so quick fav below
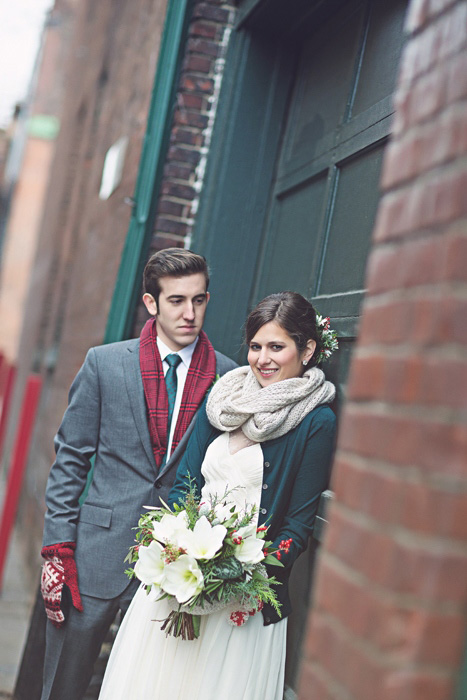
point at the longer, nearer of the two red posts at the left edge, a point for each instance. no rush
(18, 464)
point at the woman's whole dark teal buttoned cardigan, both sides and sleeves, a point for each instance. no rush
(296, 472)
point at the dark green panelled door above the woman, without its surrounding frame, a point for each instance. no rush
(325, 192)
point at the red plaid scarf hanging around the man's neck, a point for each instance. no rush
(200, 377)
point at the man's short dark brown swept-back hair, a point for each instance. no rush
(172, 262)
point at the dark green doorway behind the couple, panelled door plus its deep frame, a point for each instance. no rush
(292, 186)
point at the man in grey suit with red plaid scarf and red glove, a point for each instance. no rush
(132, 406)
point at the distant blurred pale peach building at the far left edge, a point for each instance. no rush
(27, 173)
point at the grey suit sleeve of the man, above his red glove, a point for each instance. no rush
(75, 444)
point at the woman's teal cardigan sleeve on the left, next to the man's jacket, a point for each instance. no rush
(190, 464)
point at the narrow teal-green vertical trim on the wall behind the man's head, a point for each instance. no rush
(128, 284)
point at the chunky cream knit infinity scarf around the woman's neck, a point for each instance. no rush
(238, 399)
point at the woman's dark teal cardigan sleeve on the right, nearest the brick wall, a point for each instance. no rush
(311, 480)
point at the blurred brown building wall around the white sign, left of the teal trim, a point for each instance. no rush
(109, 79)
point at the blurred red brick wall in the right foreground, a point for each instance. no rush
(389, 610)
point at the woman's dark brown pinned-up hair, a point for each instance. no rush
(290, 311)
